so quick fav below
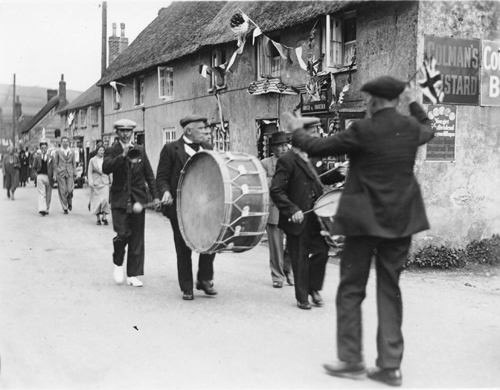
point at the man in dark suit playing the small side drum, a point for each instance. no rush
(294, 189)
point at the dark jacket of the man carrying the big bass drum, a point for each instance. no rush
(173, 157)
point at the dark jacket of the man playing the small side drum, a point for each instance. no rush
(295, 188)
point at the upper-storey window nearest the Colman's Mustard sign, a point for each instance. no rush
(330, 61)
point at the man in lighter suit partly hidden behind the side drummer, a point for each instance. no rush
(279, 261)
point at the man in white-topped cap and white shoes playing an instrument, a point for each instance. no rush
(130, 175)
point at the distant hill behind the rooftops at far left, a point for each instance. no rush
(31, 98)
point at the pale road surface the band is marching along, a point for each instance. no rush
(64, 323)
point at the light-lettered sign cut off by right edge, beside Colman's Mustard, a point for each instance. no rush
(490, 74)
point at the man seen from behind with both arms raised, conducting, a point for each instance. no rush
(380, 208)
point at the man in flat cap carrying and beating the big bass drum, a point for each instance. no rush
(173, 157)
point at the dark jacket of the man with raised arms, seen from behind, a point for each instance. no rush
(381, 196)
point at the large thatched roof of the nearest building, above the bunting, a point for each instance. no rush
(186, 27)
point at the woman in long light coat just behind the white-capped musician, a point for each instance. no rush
(99, 188)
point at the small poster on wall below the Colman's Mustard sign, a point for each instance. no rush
(444, 122)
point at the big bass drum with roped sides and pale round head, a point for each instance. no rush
(222, 202)
